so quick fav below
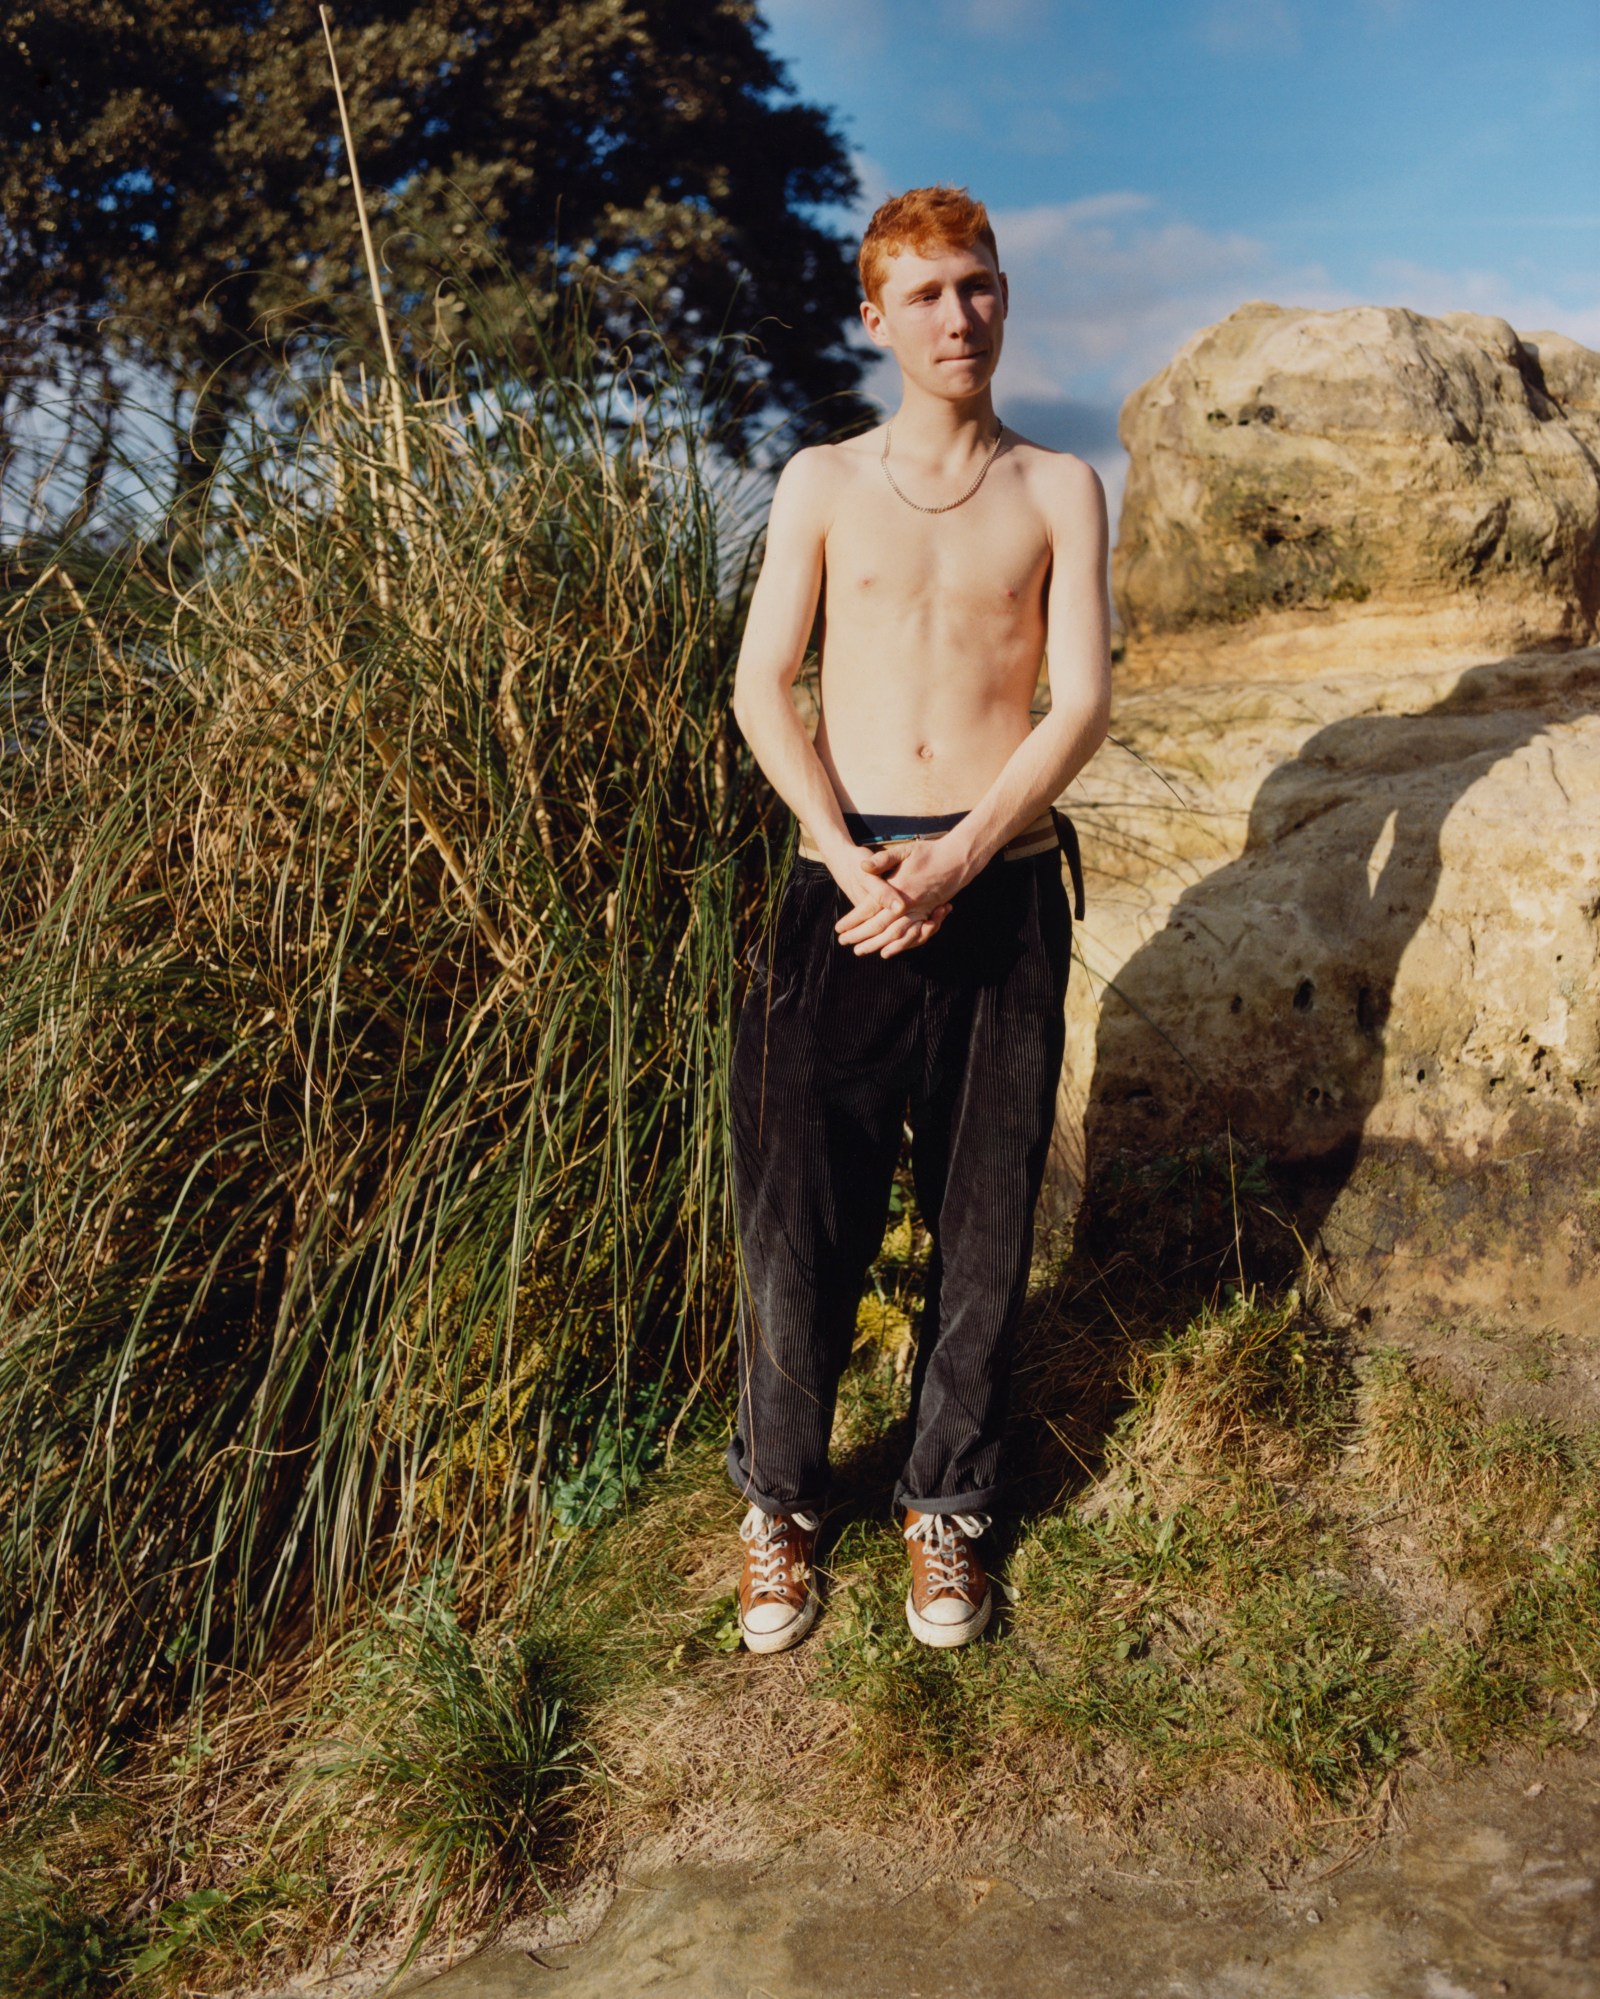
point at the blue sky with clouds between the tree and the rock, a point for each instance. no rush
(1153, 165)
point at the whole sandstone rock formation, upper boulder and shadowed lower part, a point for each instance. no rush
(1345, 869)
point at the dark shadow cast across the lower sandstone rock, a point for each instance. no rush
(1243, 1050)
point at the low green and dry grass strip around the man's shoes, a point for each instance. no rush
(1217, 1614)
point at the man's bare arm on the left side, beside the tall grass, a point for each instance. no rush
(783, 609)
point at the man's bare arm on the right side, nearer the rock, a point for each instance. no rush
(1079, 665)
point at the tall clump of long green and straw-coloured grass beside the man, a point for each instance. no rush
(369, 877)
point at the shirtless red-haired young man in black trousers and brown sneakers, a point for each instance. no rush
(909, 977)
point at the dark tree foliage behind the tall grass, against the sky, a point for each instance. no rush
(175, 185)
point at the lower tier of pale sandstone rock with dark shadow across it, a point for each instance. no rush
(1353, 921)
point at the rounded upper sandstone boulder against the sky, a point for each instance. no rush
(1361, 485)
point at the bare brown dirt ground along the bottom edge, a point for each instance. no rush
(1481, 1886)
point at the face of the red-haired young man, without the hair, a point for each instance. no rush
(943, 317)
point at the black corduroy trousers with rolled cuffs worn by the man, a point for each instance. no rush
(833, 1056)
